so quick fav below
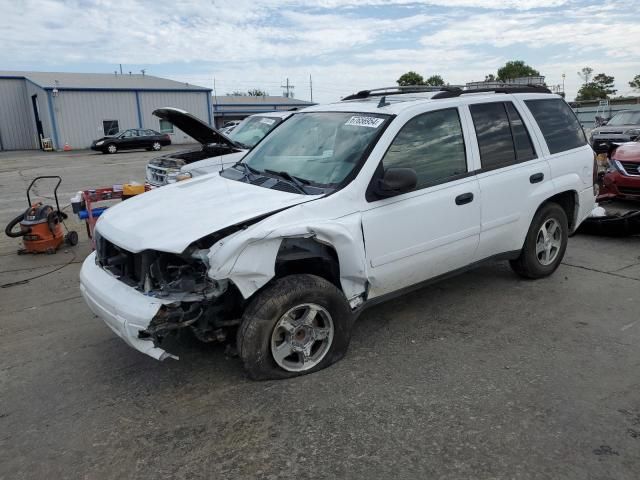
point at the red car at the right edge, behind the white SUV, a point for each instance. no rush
(622, 179)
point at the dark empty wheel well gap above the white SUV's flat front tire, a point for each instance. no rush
(306, 255)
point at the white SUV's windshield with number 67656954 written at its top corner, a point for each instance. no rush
(322, 148)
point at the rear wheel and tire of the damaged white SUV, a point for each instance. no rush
(545, 244)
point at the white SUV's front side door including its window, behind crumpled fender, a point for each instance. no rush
(435, 228)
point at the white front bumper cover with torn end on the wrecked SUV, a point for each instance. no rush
(125, 310)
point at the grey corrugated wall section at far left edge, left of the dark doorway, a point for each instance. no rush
(17, 127)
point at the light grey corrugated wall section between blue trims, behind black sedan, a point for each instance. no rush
(79, 115)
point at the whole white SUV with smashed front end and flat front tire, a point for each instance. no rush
(340, 207)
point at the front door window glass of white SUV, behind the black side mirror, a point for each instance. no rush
(432, 144)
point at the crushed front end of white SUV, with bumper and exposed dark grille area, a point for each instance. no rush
(146, 296)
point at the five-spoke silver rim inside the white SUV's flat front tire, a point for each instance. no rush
(302, 337)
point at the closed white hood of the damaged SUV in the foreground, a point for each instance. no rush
(170, 218)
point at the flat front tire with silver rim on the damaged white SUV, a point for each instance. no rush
(298, 325)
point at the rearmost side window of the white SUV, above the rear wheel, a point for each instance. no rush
(558, 124)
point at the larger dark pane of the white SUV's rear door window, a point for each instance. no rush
(494, 135)
